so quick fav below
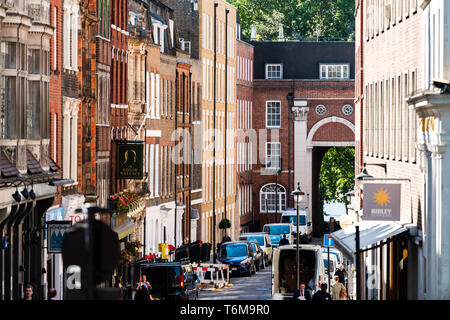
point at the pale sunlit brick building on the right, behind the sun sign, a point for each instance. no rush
(387, 134)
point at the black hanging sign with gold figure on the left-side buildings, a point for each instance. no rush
(129, 161)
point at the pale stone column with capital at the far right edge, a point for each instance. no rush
(433, 141)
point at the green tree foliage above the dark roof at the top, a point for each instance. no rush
(319, 19)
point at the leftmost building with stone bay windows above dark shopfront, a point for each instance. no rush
(28, 173)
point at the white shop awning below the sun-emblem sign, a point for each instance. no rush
(370, 232)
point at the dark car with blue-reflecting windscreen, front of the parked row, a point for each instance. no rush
(239, 256)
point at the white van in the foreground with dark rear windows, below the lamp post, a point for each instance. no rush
(284, 270)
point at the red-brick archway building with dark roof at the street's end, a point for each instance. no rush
(292, 139)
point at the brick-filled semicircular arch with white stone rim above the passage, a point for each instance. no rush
(334, 129)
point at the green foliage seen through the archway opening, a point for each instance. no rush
(337, 174)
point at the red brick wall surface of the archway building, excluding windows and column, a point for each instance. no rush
(333, 94)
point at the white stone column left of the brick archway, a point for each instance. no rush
(301, 153)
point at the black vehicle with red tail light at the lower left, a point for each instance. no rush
(169, 280)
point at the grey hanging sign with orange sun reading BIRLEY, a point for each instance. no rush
(381, 202)
